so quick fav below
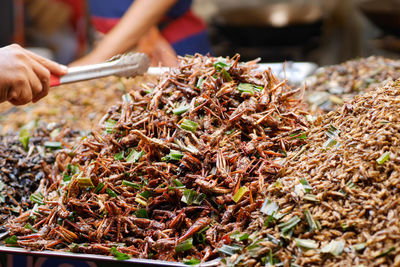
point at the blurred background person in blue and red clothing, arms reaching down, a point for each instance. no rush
(162, 29)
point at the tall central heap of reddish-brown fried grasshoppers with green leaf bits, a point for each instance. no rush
(177, 167)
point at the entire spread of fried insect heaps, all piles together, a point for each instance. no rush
(213, 160)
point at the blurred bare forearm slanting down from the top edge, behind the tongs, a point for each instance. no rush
(139, 18)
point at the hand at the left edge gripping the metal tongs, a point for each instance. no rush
(25, 76)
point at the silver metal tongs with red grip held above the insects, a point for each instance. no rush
(127, 65)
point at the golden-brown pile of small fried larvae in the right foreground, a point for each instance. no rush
(336, 201)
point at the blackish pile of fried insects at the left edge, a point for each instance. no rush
(25, 159)
